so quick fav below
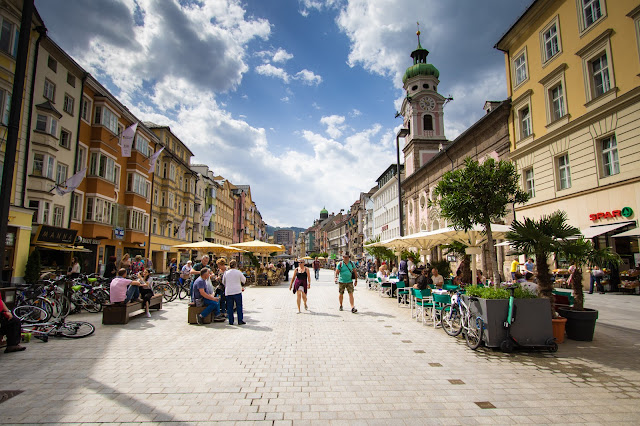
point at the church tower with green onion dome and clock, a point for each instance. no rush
(422, 110)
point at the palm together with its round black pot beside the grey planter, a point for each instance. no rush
(581, 321)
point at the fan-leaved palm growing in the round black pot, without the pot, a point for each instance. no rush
(582, 253)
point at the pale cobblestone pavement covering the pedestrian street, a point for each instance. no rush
(320, 367)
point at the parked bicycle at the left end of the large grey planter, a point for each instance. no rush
(457, 318)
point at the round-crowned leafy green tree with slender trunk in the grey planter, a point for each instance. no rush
(479, 194)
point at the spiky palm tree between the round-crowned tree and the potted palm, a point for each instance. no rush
(542, 238)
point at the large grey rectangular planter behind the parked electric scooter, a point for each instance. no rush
(532, 325)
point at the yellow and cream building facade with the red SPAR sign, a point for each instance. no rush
(573, 75)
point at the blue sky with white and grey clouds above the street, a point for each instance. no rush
(296, 98)
